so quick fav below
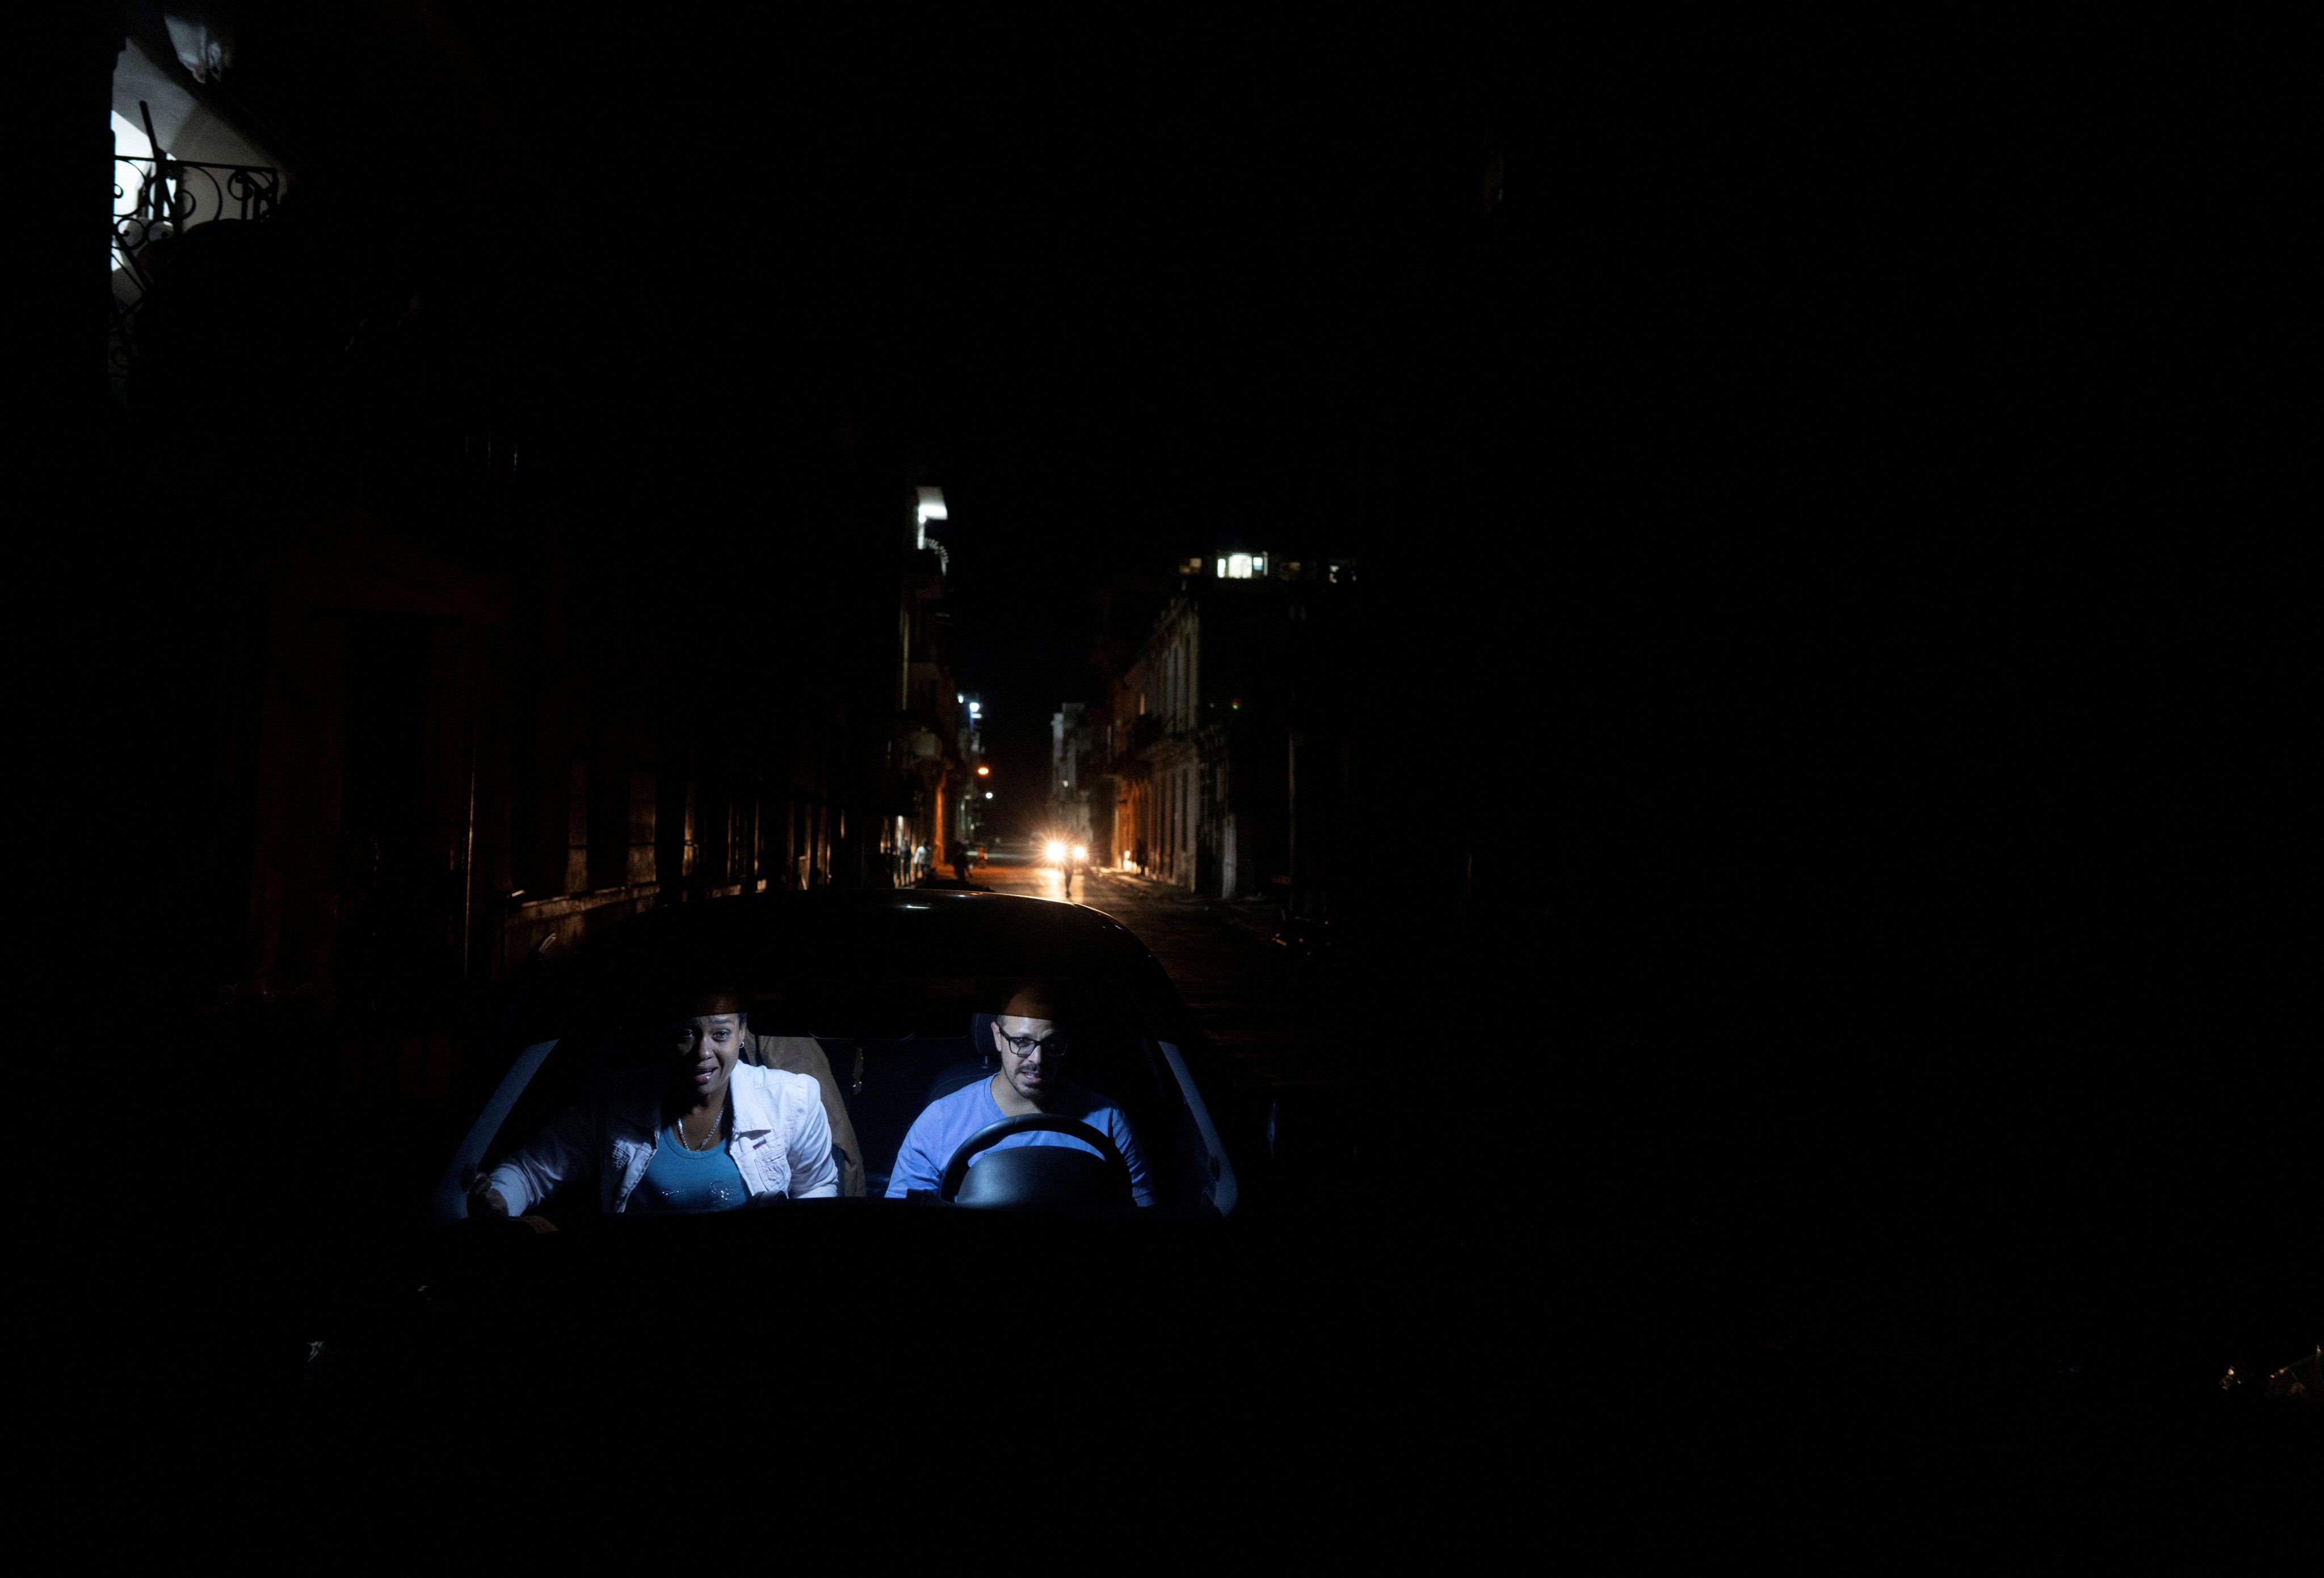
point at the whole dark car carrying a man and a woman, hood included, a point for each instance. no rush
(880, 996)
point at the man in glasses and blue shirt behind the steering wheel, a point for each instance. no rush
(1028, 1054)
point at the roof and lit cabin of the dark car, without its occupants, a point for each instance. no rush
(887, 1003)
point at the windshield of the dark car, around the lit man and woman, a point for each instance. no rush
(884, 1045)
